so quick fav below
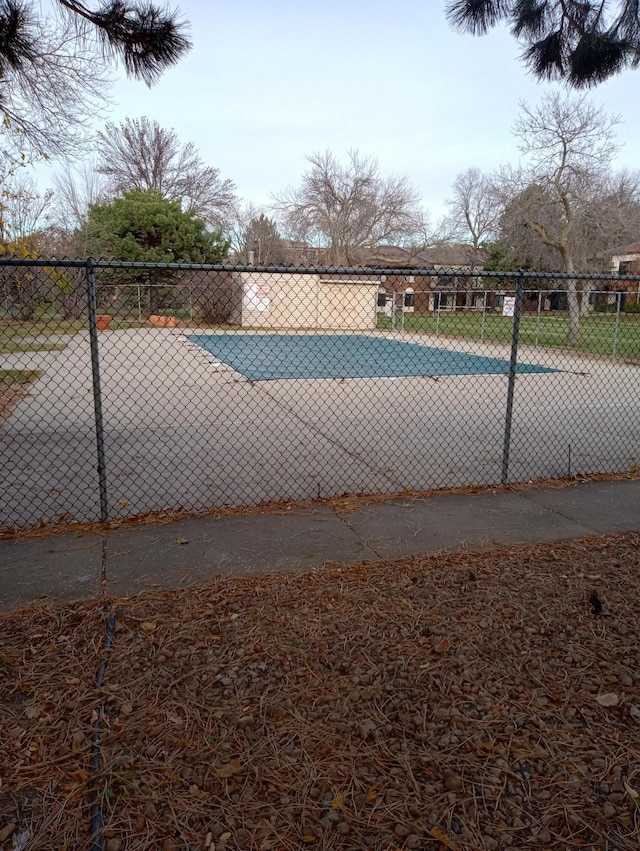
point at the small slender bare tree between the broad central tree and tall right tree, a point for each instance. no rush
(474, 211)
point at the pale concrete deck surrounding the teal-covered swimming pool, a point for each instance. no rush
(185, 432)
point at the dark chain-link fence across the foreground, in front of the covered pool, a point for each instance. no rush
(128, 389)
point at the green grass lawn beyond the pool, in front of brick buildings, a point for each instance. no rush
(597, 332)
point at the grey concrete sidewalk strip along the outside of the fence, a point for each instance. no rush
(149, 557)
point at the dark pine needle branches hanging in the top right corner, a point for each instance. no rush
(581, 42)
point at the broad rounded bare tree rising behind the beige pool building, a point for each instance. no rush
(349, 208)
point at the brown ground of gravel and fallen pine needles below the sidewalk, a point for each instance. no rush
(481, 700)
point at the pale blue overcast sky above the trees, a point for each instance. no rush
(267, 83)
